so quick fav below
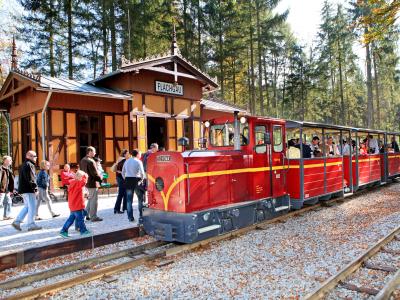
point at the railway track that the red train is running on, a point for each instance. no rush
(135, 257)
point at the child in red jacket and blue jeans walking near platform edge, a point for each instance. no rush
(76, 205)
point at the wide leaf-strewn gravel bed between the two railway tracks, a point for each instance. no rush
(286, 260)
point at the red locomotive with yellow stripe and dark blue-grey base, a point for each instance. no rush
(238, 181)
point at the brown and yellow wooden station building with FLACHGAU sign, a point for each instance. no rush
(156, 99)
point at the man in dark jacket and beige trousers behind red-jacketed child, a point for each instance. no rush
(88, 165)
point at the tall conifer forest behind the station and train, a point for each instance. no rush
(246, 45)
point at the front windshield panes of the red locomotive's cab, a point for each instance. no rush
(221, 135)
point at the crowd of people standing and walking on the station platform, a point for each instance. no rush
(130, 169)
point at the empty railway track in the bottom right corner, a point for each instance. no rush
(341, 279)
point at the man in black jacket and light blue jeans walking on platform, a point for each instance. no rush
(28, 189)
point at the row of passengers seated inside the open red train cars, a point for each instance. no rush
(369, 145)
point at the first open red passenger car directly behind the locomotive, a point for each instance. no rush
(317, 173)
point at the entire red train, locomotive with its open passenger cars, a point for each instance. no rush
(245, 173)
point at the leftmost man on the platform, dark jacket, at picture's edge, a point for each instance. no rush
(6, 186)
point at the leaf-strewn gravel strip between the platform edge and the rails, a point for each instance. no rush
(51, 263)
